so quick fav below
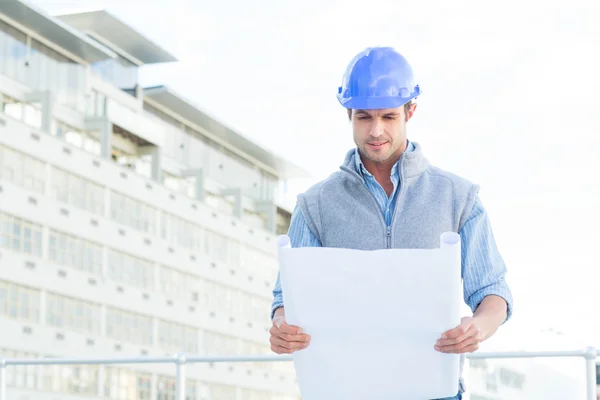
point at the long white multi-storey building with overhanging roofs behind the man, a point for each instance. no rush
(131, 222)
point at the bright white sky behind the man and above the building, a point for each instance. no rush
(510, 102)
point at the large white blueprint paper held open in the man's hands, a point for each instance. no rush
(373, 318)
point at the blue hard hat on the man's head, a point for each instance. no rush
(376, 78)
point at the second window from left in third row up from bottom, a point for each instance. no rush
(75, 252)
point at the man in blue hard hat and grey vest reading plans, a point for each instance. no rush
(387, 195)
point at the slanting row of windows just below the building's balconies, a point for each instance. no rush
(30, 173)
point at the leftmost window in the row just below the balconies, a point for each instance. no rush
(22, 170)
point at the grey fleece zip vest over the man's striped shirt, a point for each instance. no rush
(341, 212)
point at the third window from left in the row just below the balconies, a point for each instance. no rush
(133, 213)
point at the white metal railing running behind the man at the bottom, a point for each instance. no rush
(589, 354)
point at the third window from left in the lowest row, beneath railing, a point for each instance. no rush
(125, 384)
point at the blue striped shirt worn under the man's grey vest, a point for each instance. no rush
(483, 269)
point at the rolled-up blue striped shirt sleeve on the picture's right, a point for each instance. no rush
(483, 269)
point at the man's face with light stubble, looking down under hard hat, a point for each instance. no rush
(380, 135)
